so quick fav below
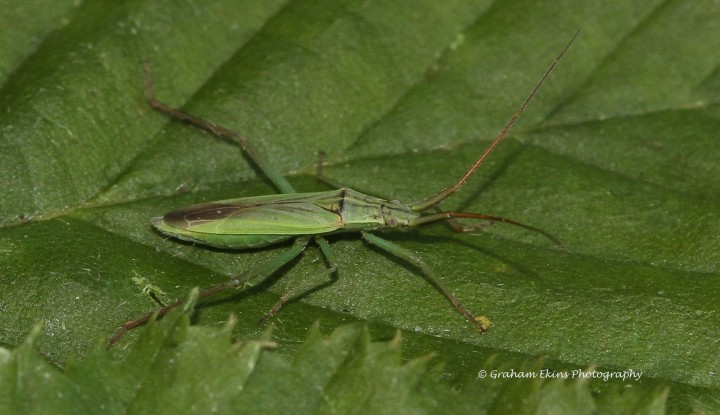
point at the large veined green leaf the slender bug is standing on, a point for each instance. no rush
(616, 157)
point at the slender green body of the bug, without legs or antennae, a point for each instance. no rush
(254, 222)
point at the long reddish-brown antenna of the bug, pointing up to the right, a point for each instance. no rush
(445, 193)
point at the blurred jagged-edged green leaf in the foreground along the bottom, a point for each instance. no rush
(176, 368)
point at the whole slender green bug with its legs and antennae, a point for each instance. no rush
(255, 222)
